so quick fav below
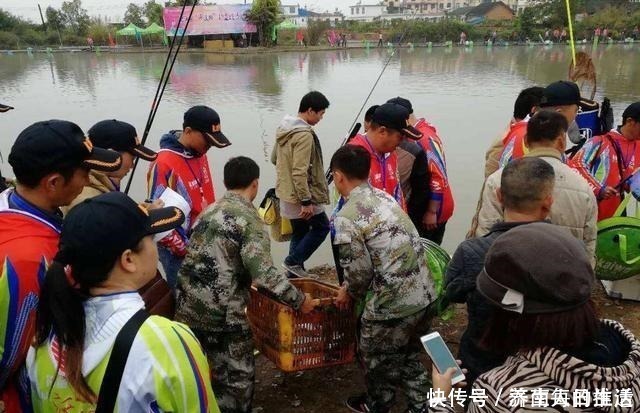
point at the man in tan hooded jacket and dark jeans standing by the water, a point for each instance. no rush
(301, 184)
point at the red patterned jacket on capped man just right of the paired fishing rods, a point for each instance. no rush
(189, 176)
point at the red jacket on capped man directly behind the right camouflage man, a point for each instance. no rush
(383, 173)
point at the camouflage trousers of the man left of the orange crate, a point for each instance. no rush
(230, 356)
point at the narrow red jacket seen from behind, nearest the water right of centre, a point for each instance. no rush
(439, 184)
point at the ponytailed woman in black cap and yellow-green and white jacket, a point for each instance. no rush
(89, 298)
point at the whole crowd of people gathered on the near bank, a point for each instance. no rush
(76, 334)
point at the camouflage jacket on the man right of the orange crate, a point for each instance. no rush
(381, 253)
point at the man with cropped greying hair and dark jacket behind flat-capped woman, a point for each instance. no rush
(525, 193)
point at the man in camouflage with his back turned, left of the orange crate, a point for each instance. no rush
(229, 250)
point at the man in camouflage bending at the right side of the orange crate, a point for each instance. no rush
(381, 253)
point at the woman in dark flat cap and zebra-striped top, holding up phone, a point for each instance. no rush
(545, 320)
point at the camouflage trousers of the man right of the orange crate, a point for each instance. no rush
(390, 353)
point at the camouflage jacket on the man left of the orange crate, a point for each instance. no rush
(228, 250)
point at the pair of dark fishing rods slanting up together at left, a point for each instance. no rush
(162, 85)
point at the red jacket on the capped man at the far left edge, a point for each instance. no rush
(27, 244)
